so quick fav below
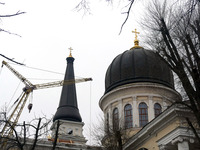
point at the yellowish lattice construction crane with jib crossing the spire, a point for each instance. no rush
(29, 87)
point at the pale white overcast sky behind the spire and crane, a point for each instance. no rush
(47, 30)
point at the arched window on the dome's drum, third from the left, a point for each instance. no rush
(143, 114)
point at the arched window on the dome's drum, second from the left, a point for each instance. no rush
(128, 117)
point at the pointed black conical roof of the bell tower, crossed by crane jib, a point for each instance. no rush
(68, 107)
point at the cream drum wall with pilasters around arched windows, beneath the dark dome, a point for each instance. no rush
(134, 94)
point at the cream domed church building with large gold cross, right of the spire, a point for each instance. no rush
(141, 102)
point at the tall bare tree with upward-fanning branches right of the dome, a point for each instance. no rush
(173, 31)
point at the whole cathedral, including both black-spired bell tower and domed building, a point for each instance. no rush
(140, 101)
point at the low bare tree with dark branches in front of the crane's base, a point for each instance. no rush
(36, 129)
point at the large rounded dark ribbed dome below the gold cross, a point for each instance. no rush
(137, 65)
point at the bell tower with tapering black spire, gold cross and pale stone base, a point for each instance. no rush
(67, 122)
